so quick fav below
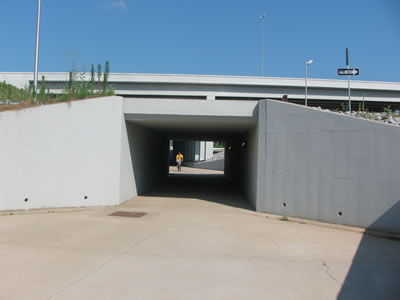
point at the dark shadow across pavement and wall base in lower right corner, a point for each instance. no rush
(375, 271)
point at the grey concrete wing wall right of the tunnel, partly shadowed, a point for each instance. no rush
(328, 167)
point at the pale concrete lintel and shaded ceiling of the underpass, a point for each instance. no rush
(192, 118)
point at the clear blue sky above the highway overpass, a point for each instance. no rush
(221, 37)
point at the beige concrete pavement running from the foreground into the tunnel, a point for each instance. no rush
(199, 240)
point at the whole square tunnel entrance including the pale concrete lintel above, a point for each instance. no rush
(158, 129)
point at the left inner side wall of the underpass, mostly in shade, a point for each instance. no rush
(146, 161)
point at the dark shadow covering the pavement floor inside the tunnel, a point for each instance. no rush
(209, 187)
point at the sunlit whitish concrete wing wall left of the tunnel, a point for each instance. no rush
(55, 155)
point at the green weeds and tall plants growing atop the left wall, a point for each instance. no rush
(77, 87)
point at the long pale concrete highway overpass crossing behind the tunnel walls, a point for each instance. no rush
(327, 93)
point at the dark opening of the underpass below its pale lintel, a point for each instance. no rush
(156, 173)
